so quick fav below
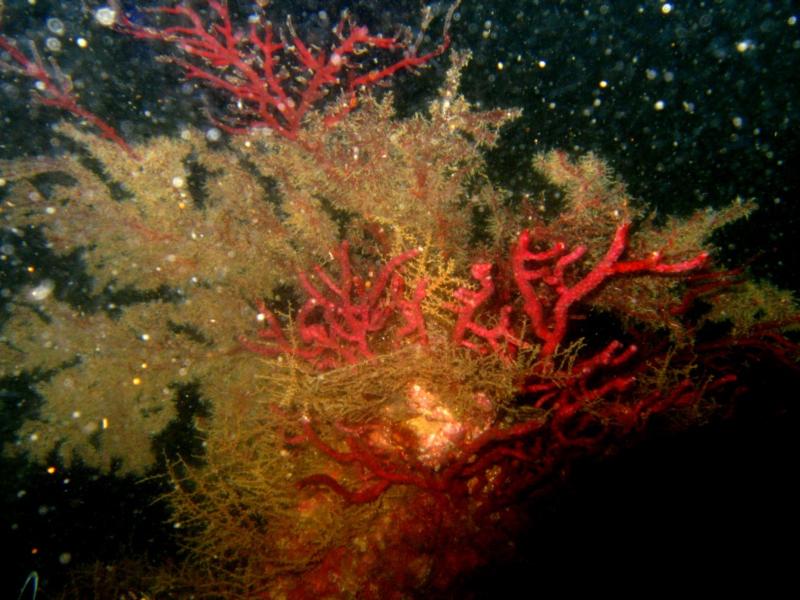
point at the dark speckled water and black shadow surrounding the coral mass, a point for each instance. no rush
(693, 106)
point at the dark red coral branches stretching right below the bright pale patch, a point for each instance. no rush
(502, 461)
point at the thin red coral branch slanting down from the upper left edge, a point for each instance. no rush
(53, 88)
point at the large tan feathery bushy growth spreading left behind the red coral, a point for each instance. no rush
(182, 241)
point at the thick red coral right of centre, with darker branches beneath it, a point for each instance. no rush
(549, 292)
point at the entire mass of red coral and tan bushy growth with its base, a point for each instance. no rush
(381, 437)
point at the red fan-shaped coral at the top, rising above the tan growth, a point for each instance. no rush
(271, 82)
